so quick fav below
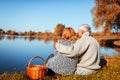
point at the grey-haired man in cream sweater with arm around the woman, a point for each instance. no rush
(86, 49)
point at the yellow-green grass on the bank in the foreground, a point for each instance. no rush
(109, 72)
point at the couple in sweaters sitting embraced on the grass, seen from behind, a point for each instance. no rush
(72, 55)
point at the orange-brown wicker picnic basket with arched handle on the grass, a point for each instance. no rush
(35, 71)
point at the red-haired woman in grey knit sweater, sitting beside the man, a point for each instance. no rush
(60, 64)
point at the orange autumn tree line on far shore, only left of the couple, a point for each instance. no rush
(57, 32)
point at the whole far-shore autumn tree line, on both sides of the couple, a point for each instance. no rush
(57, 32)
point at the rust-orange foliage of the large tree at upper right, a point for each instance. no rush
(106, 14)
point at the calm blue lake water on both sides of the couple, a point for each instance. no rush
(15, 53)
